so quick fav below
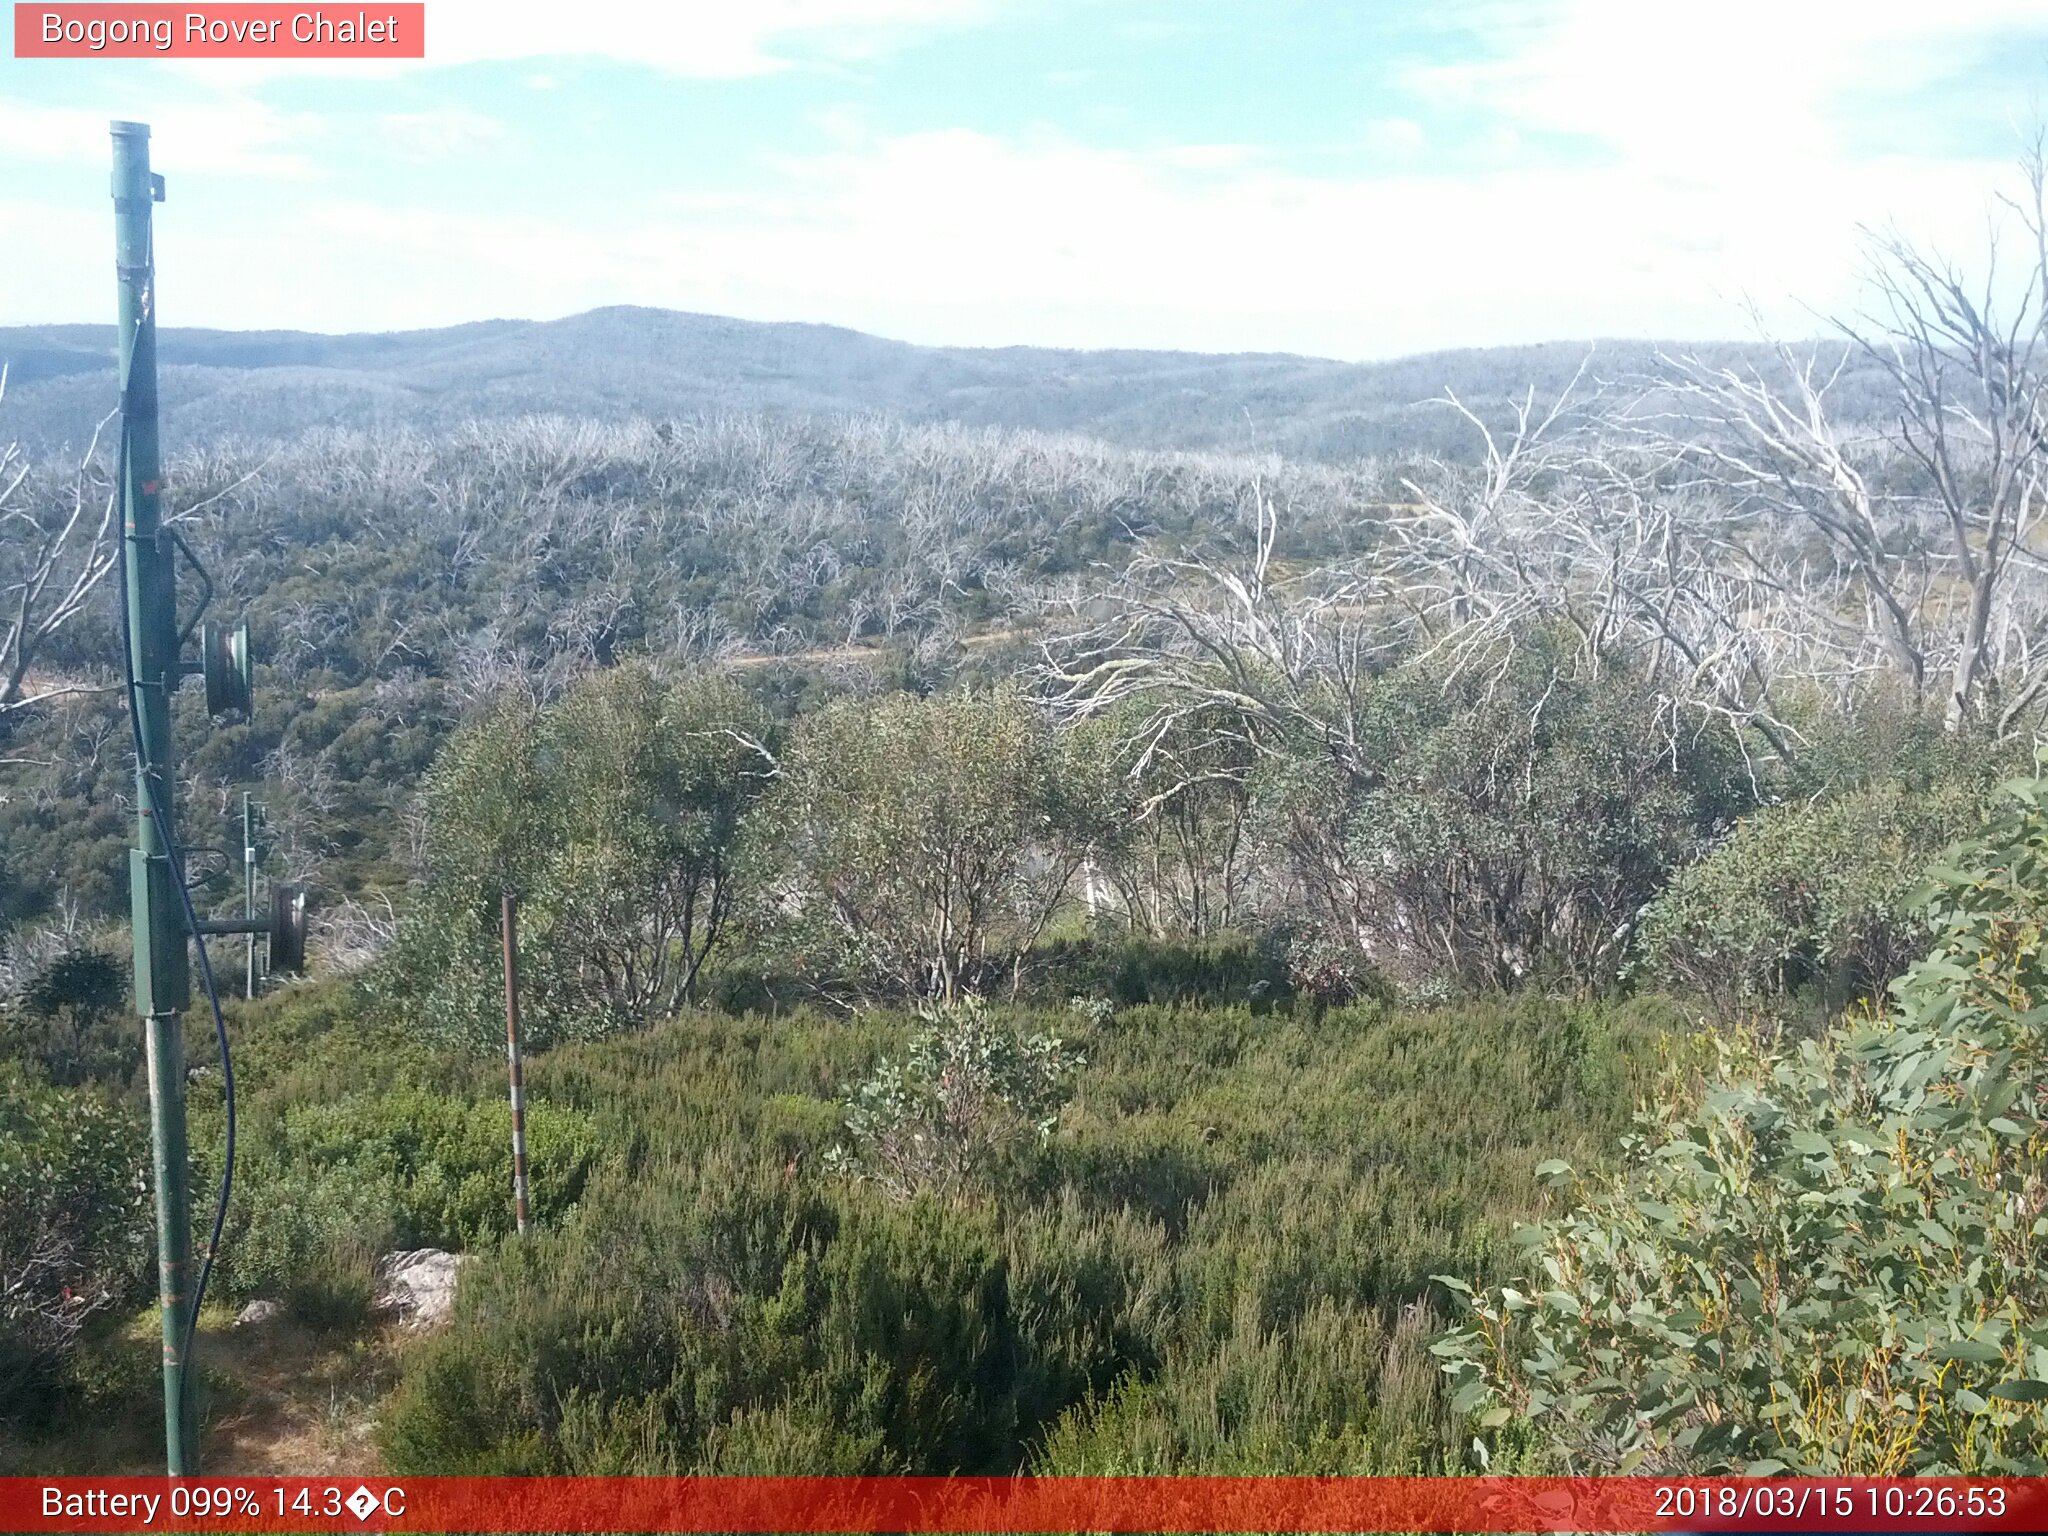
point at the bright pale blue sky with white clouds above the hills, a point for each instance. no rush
(1351, 179)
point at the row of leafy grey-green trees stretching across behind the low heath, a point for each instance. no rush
(675, 839)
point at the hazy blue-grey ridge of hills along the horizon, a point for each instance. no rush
(663, 364)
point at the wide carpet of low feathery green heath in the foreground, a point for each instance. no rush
(1234, 1226)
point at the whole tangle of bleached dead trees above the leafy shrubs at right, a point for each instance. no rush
(1715, 529)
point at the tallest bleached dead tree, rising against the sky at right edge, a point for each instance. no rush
(1914, 550)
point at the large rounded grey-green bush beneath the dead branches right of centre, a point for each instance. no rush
(1500, 826)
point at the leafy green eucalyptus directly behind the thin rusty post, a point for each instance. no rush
(615, 816)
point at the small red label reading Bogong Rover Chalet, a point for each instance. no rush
(220, 32)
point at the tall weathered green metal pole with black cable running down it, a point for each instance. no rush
(163, 986)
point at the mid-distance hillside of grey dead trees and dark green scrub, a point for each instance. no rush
(402, 581)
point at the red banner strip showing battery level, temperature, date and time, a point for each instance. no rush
(1023, 1504)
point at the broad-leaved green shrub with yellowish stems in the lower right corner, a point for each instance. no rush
(1826, 1258)
